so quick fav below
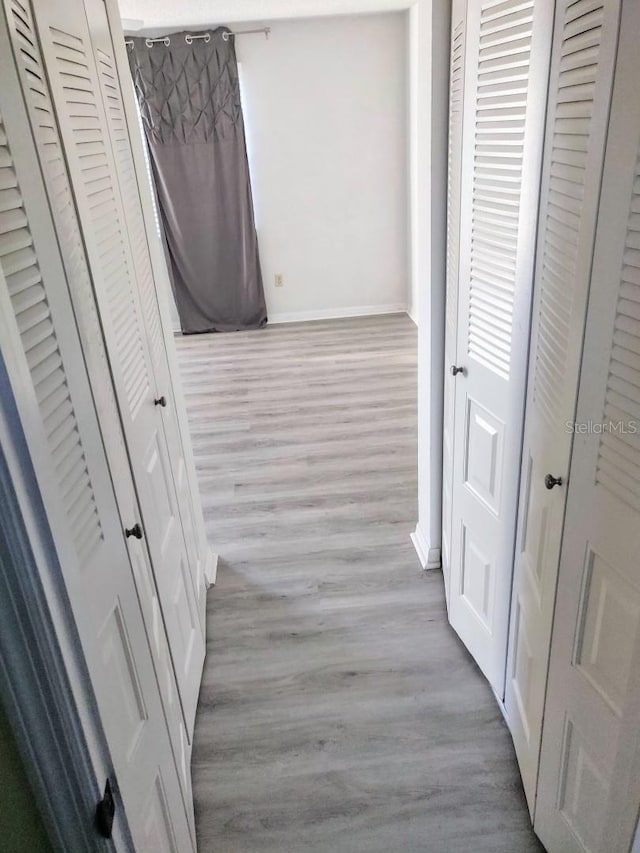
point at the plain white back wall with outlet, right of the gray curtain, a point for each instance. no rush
(325, 104)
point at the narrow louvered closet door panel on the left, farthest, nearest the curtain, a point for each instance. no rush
(110, 87)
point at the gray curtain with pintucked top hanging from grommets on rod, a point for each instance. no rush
(189, 98)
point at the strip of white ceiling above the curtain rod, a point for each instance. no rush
(152, 14)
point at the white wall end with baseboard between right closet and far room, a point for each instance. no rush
(429, 49)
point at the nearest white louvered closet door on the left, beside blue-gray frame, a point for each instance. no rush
(42, 352)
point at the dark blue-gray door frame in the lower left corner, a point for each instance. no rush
(44, 680)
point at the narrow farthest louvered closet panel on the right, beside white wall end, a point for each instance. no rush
(456, 95)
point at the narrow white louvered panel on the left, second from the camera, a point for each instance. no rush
(49, 147)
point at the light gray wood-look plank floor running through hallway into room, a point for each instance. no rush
(339, 713)
